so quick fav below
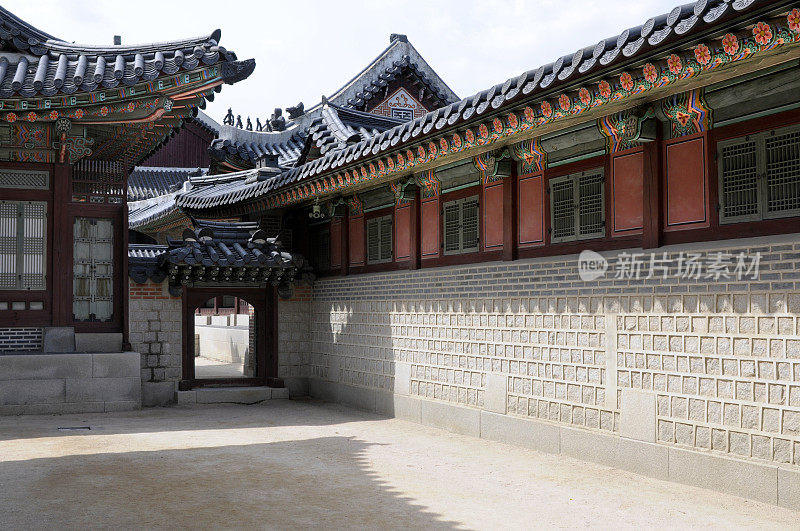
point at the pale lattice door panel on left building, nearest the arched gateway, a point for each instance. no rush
(93, 269)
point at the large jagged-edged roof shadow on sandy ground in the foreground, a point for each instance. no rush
(275, 484)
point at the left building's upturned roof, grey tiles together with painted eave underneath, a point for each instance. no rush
(119, 102)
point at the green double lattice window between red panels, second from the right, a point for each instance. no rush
(577, 206)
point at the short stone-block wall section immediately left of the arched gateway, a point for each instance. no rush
(155, 328)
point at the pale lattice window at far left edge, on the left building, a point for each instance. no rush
(23, 245)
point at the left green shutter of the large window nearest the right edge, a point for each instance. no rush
(738, 168)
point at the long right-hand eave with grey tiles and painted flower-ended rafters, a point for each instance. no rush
(663, 57)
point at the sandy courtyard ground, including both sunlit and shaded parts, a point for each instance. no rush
(304, 464)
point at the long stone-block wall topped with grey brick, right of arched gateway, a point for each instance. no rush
(704, 364)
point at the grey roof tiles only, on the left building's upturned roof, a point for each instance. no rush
(47, 65)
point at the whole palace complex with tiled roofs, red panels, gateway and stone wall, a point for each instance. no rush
(597, 257)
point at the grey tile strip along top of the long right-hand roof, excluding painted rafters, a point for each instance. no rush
(680, 27)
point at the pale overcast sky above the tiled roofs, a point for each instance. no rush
(305, 49)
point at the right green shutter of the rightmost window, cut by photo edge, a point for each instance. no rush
(782, 187)
